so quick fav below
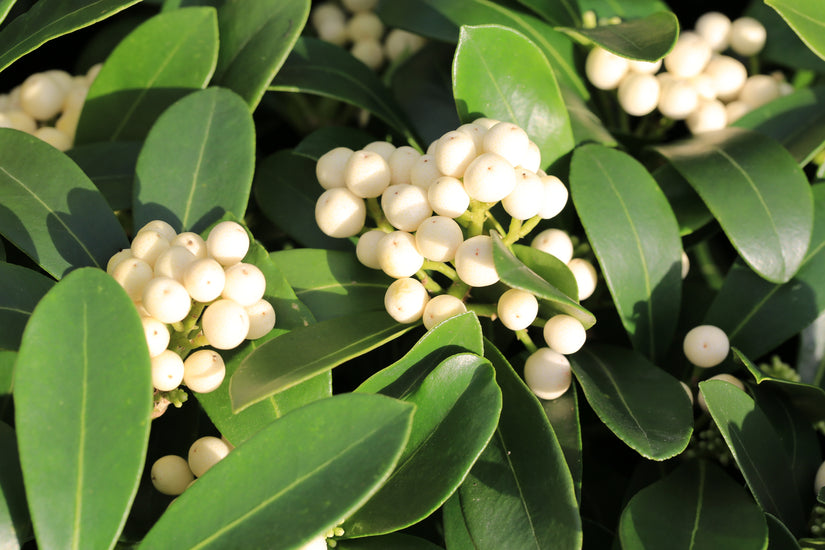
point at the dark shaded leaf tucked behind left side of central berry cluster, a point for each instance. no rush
(286, 190)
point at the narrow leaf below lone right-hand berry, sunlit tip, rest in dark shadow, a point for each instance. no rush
(757, 449)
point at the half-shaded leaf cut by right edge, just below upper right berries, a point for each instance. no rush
(797, 121)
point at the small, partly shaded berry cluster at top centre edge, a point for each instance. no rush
(360, 27)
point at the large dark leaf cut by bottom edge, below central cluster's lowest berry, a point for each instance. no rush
(520, 493)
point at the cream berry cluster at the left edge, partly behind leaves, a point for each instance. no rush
(47, 105)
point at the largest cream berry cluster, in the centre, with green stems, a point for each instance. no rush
(431, 211)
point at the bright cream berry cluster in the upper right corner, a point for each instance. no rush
(700, 85)
